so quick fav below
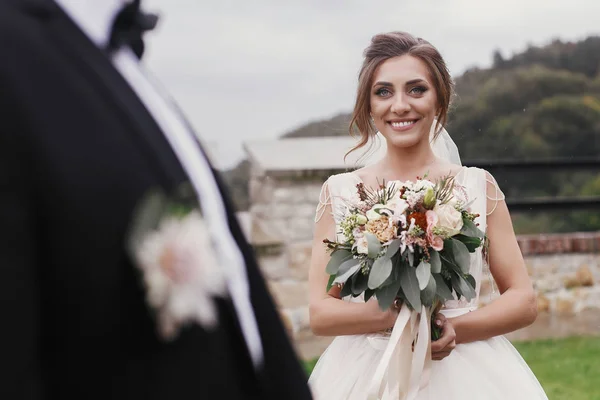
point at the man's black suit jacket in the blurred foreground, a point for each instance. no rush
(77, 152)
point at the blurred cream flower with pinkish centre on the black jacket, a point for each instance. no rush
(181, 274)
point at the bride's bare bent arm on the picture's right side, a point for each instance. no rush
(517, 306)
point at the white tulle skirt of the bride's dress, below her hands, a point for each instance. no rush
(485, 370)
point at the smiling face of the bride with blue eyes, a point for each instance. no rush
(403, 101)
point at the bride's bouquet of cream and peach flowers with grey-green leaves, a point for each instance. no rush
(406, 240)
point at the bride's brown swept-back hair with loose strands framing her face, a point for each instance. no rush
(394, 44)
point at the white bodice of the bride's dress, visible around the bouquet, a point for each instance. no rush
(480, 187)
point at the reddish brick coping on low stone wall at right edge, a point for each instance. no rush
(577, 242)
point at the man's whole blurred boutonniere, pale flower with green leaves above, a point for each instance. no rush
(171, 246)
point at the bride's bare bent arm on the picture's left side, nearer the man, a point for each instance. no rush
(329, 315)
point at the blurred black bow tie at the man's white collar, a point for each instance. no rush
(129, 26)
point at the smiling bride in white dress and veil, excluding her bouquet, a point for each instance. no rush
(404, 93)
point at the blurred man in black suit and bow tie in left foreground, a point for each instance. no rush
(116, 282)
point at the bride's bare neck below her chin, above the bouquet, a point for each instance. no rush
(408, 161)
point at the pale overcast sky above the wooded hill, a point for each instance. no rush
(253, 70)
